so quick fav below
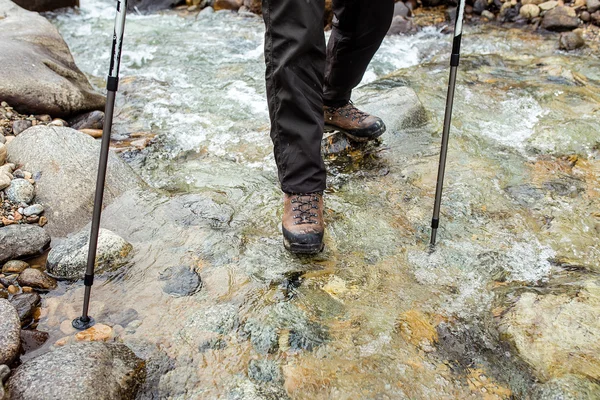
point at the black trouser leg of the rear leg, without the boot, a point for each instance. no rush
(359, 27)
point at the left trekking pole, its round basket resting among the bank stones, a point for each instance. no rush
(85, 321)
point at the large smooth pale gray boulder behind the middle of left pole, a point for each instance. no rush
(65, 164)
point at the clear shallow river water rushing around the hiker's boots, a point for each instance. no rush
(376, 315)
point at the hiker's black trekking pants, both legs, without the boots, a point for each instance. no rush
(302, 75)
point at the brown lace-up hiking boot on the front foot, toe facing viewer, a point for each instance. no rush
(303, 222)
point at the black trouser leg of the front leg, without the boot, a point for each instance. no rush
(295, 59)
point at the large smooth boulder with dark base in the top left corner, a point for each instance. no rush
(39, 75)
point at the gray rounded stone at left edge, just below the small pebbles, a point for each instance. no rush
(22, 240)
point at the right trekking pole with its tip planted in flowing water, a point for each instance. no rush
(454, 61)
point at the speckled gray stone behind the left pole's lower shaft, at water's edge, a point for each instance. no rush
(68, 260)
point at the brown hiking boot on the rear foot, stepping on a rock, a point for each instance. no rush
(356, 124)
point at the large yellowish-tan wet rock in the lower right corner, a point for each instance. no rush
(557, 334)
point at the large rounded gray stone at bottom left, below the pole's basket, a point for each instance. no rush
(101, 371)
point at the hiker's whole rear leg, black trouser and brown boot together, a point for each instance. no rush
(359, 27)
